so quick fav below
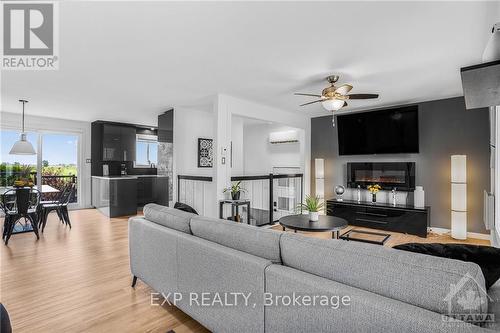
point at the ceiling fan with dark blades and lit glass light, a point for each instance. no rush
(334, 98)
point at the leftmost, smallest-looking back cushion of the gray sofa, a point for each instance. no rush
(168, 217)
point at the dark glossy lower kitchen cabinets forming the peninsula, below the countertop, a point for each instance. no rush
(122, 195)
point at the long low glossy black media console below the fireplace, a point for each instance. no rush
(383, 216)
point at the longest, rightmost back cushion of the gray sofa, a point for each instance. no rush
(413, 278)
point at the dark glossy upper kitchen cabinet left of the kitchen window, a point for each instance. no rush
(118, 143)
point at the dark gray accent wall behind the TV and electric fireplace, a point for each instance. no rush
(445, 128)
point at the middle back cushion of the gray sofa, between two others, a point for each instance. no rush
(260, 242)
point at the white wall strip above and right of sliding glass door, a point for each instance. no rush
(45, 124)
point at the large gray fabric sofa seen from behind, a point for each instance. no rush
(356, 287)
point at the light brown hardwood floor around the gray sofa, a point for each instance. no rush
(78, 280)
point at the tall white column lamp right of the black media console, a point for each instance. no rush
(459, 196)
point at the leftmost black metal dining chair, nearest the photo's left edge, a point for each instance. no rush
(26, 203)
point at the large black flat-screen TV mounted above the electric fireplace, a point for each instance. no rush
(391, 131)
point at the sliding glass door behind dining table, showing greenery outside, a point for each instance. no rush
(56, 162)
